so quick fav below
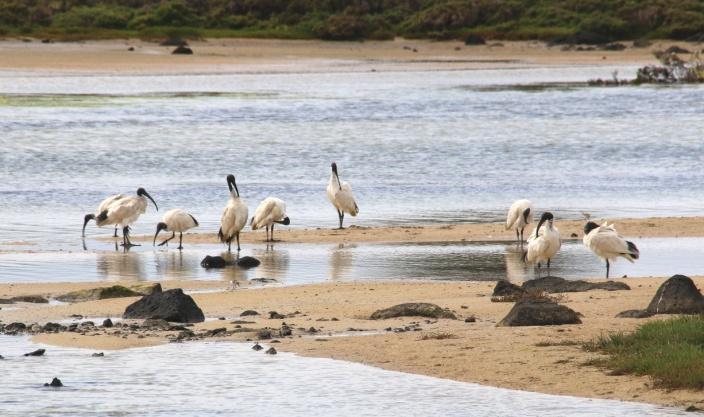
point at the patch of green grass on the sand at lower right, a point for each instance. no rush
(671, 352)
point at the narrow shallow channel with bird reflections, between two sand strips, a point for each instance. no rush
(292, 264)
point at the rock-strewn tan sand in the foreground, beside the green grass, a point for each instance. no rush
(475, 352)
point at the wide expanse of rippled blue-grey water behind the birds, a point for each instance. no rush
(425, 146)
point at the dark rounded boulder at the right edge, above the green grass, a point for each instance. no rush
(677, 295)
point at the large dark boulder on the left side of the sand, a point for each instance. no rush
(171, 305)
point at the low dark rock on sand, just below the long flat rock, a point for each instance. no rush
(539, 312)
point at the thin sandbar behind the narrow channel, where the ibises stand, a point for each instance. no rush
(646, 227)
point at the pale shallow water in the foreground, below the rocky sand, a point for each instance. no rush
(221, 378)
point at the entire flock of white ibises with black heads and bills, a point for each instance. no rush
(541, 246)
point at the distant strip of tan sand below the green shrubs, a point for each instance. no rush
(270, 55)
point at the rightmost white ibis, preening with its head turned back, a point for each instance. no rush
(605, 242)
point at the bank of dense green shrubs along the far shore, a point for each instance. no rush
(571, 20)
